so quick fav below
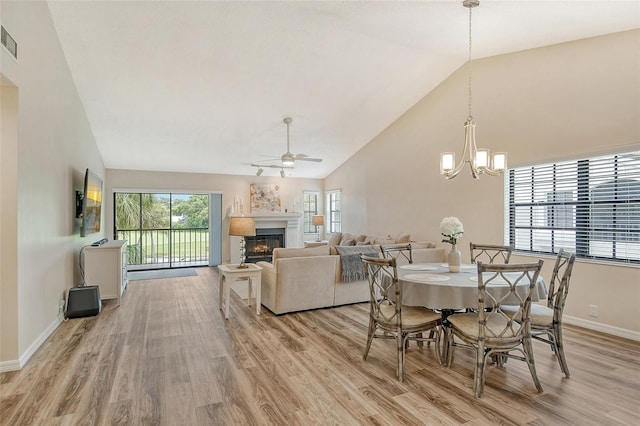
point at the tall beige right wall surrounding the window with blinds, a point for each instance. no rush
(563, 101)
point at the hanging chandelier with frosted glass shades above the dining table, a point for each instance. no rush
(478, 159)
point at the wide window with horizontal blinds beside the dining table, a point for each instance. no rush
(589, 206)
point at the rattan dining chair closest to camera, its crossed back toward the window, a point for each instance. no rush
(494, 333)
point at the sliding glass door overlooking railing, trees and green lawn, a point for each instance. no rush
(164, 229)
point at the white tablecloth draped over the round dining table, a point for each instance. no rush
(433, 286)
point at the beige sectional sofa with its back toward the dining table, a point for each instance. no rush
(299, 279)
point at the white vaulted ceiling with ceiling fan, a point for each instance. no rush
(204, 86)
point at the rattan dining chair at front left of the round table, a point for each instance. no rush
(389, 318)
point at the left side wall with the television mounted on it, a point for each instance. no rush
(54, 146)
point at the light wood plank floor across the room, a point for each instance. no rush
(166, 356)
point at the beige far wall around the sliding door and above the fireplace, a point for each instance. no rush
(229, 186)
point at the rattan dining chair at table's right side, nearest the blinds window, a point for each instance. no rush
(546, 321)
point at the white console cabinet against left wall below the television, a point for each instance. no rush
(106, 267)
